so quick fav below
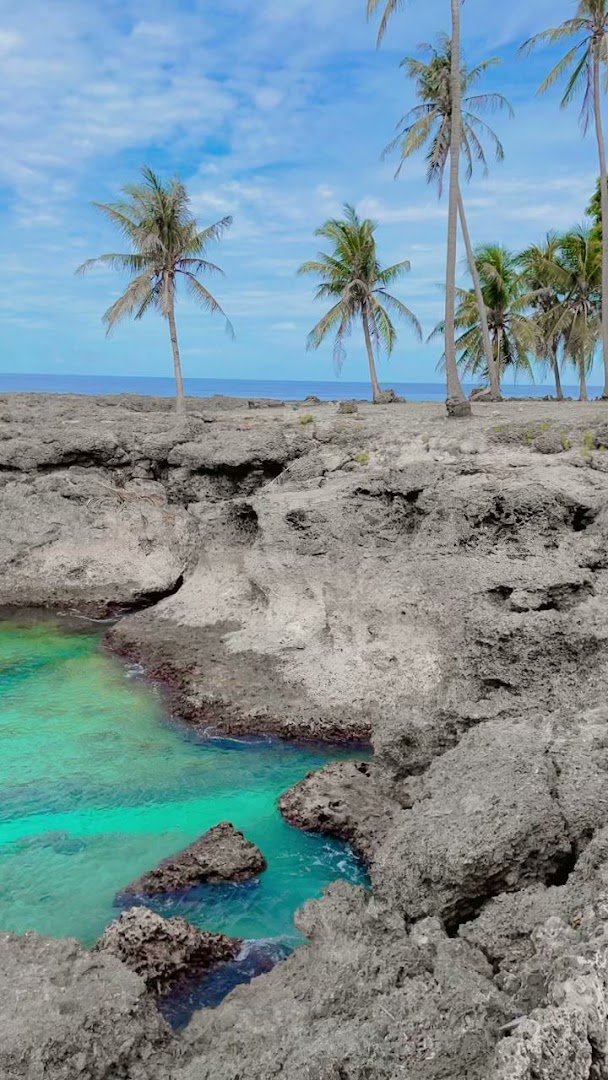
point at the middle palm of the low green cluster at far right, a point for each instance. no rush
(544, 300)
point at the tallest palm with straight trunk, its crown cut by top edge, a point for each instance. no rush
(457, 404)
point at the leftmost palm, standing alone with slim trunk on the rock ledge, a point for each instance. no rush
(168, 247)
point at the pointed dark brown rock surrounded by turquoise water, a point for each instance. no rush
(223, 855)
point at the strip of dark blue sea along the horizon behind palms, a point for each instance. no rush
(244, 388)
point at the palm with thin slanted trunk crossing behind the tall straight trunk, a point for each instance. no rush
(429, 124)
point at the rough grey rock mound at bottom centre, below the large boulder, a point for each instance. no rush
(383, 1002)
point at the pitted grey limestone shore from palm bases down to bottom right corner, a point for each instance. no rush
(438, 587)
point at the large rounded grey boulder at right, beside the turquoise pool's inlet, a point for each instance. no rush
(485, 821)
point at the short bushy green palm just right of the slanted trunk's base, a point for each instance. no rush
(514, 334)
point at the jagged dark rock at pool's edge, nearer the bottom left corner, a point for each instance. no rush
(165, 952)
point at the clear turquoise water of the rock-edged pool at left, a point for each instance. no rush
(97, 786)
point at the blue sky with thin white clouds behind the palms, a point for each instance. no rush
(275, 112)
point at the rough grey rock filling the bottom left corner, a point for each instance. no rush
(69, 1015)
